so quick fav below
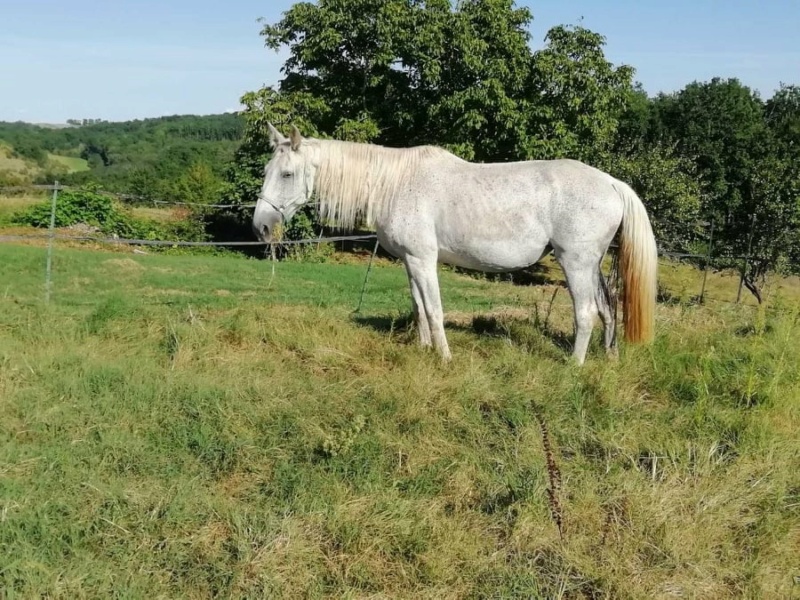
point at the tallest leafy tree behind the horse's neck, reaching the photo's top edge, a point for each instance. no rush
(404, 72)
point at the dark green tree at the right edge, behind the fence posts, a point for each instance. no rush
(742, 148)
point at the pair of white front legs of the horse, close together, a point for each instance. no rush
(428, 302)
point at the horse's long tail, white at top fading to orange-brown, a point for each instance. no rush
(638, 258)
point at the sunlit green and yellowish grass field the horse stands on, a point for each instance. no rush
(183, 426)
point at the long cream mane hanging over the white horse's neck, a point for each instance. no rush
(355, 182)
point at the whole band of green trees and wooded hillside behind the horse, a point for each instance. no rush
(712, 155)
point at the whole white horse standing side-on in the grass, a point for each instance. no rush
(428, 206)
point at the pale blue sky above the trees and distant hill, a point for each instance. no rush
(125, 60)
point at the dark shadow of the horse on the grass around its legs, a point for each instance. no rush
(517, 330)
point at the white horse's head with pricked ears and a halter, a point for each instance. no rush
(288, 183)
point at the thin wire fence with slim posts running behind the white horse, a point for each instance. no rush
(53, 237)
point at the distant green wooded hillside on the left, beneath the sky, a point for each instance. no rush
(144, 156)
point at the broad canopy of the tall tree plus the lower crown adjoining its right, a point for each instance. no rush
(404, 72)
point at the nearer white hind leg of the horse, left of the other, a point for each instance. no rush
(581, 273)
